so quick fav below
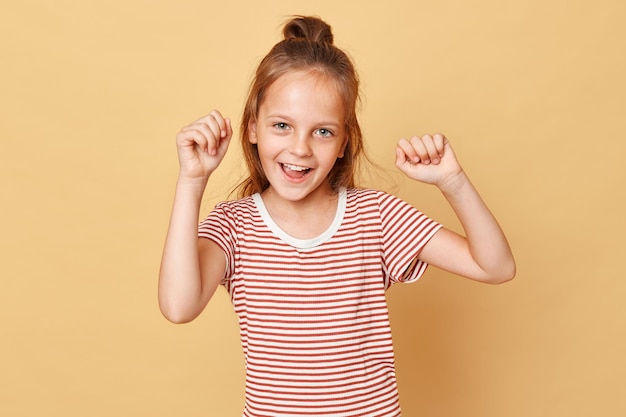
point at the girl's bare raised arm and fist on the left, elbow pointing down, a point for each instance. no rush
(191, 268)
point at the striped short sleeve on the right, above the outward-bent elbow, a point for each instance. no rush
(405, 231)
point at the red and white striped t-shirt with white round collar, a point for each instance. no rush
(312, 313)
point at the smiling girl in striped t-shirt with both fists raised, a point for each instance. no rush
(305, 255)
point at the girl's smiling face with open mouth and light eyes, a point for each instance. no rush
(299, 133)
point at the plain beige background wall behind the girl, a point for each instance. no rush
(531, 92)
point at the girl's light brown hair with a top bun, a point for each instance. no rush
(307, 45)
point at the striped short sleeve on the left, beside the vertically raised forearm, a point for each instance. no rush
(219, 226)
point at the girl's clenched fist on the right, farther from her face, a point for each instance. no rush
(428, 159)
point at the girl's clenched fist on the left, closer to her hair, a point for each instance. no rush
(202, 145)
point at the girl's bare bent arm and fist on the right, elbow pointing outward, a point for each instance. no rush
(483, 254)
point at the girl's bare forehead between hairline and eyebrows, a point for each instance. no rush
(304, 92)
